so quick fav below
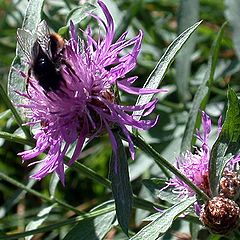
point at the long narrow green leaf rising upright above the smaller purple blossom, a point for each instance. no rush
(202, 94)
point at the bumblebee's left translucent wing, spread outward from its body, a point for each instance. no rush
(25, 41)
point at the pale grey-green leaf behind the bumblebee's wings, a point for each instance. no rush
(30, 22)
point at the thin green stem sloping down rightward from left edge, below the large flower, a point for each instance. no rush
(37, 194)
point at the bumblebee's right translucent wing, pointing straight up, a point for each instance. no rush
(43, 37)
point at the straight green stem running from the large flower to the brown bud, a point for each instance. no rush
(139, 142)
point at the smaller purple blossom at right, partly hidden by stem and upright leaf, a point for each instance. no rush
(195, 165)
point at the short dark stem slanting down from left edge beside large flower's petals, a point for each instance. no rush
(9, 105)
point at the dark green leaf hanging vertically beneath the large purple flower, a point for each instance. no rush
(121, 186)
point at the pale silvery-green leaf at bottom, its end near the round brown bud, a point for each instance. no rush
(162, 221)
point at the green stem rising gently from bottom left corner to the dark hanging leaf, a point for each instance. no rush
(59, 224)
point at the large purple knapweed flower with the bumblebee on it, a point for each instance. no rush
(85, 106)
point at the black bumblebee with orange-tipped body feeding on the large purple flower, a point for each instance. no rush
(44, 53)
